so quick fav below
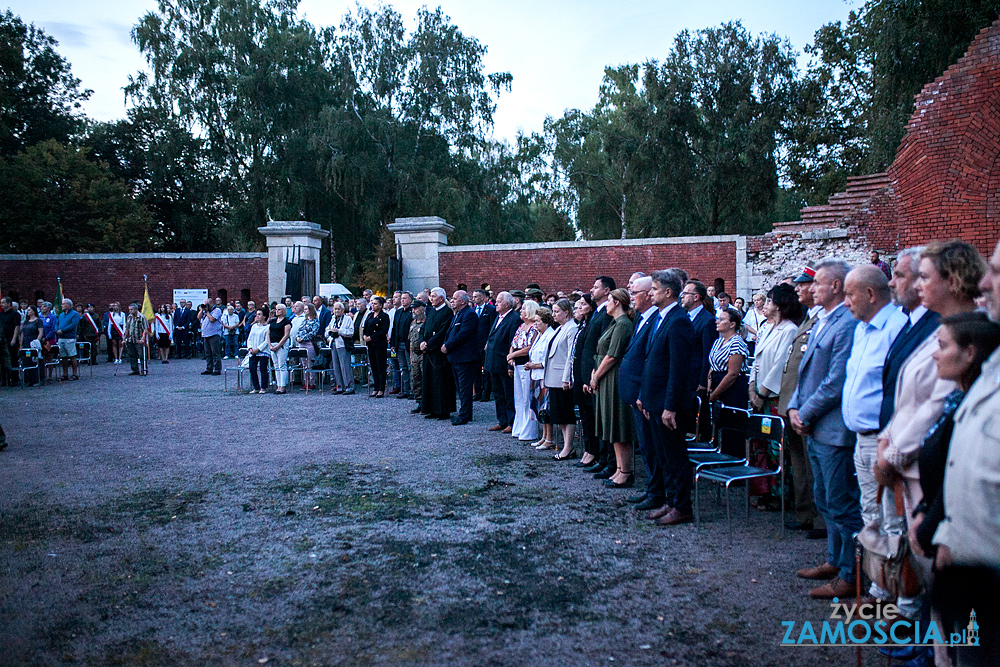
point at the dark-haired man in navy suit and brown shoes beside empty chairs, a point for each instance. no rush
(666, 395)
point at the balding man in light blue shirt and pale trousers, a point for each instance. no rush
(867, 295)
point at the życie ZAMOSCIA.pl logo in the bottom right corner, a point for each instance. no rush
(878, 624)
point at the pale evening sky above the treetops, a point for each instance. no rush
(556, 50)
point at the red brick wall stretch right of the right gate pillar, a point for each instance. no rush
(572, 268)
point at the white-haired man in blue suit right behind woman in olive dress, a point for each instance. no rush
(630, 381)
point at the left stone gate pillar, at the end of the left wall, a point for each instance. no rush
(283, 236)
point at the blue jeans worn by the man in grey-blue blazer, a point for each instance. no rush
(838, 500)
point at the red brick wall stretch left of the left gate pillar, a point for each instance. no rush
(109, 278)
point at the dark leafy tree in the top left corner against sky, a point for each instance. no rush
(40, 99)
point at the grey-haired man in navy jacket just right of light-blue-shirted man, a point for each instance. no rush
(922, 323)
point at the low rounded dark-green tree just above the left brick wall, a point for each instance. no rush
(59, 201)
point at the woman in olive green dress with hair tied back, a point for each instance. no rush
(615, 422)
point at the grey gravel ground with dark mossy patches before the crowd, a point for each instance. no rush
(160, 521)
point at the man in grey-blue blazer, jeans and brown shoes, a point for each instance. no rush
(814, 411)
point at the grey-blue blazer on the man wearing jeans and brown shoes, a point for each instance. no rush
(821, 379)
